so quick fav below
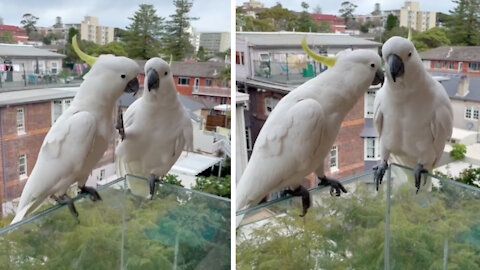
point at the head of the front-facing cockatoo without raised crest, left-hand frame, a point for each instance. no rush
(158, 78)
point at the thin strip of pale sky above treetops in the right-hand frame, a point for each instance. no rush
(364, 6)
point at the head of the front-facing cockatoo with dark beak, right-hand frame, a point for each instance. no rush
(402, 60)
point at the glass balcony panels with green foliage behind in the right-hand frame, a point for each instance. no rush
(394, 228)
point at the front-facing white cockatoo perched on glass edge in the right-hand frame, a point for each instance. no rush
(412, 112)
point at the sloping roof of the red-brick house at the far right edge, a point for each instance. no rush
(454, 53)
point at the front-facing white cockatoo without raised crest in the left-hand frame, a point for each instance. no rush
(156, 128)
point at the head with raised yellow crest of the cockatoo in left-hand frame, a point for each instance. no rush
(113, 74)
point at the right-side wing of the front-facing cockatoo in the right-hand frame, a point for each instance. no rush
(441, 128)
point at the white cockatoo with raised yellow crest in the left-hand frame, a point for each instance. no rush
(80, 136)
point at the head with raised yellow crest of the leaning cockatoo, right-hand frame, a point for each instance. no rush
(364, 66)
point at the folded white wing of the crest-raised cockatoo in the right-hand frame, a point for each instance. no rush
(283, 150)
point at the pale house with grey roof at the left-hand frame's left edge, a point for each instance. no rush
(19, 61)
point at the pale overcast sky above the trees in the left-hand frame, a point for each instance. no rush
(214, 15)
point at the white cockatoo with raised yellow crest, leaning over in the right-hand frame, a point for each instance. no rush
(300, 131)
